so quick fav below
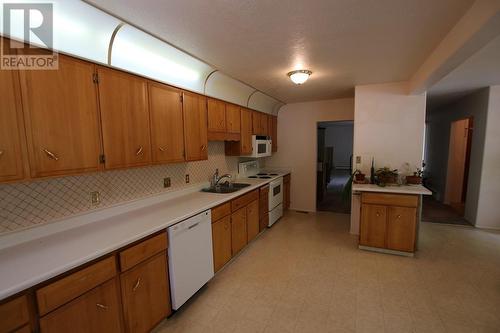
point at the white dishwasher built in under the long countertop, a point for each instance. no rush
(190, 257)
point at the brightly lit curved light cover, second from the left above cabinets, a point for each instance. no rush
(138, 52)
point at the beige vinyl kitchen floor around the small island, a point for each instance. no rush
(305, 274)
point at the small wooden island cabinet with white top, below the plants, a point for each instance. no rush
(388, 218)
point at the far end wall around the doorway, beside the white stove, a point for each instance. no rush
(297, 144)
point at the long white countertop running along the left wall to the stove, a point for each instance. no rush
(38, 254)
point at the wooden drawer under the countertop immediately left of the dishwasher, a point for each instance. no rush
(142, 251)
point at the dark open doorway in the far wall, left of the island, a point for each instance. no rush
(334, 165)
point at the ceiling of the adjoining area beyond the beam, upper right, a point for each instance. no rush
(479, 71)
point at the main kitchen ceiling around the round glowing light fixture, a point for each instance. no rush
(344, 42)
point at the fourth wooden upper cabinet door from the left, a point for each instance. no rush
(167, 125)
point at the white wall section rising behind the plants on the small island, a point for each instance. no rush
(389, 126)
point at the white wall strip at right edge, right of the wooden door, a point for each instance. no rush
(488, 212)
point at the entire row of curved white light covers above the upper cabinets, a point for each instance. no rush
(86, 32)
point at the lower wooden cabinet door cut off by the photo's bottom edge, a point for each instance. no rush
(95, 311)
